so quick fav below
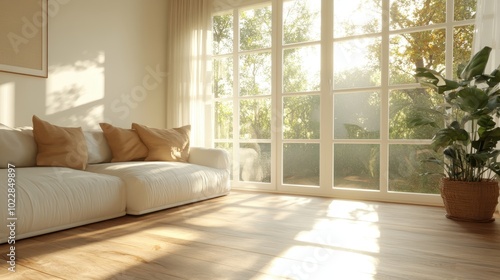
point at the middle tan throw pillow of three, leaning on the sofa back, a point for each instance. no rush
(125, 144)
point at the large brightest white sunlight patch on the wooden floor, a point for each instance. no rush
(336, 247)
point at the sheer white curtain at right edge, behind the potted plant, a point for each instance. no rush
(487, 33)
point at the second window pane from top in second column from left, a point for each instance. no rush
(255, 74)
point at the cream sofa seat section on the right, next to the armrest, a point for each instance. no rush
(156, 185)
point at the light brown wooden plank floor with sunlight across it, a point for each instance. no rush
(249, 235)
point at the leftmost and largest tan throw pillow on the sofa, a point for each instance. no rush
(59, 146)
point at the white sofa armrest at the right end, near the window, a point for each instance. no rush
(211, 157)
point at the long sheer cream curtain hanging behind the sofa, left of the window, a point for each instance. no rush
(188, 96)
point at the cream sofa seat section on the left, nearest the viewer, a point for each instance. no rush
(56, 198)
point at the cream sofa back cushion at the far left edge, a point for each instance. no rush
(17, 147)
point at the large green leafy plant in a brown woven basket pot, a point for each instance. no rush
(468, 141)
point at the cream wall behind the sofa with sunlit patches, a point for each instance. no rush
(106, 62)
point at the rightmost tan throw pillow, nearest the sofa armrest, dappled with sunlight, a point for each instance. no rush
(165, 144)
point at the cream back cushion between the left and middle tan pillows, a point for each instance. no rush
(98, 149)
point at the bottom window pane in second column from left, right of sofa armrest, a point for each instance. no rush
(255, 162)
